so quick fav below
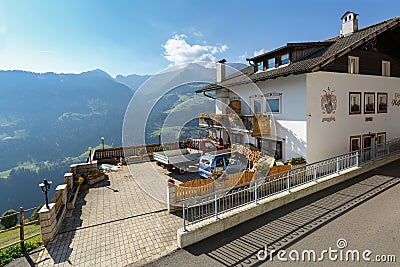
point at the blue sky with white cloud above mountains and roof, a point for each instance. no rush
(145, 37)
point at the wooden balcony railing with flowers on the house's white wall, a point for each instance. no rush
(256, 125)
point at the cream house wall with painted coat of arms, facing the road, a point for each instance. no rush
(328, 139)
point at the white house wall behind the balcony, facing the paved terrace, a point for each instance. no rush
(291, 123)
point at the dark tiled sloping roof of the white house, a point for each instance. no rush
(334, 48)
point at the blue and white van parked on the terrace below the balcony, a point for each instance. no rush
(219, 161)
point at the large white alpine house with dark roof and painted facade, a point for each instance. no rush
(324, 98)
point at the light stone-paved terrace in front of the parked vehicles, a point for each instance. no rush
(114, 223)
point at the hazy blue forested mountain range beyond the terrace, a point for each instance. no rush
(48, 121)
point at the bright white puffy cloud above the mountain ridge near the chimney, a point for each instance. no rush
(178, 50)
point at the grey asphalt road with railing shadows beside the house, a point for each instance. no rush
(358, 217)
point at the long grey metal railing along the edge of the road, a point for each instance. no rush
(204, 207)
